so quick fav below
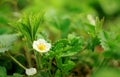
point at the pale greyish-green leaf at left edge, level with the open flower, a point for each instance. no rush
(6, 42)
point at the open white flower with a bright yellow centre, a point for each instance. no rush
(41, 45)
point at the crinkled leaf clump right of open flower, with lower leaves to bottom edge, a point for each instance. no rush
(63, 50)
